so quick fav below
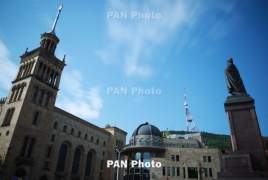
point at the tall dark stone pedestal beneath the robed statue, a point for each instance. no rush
(248, 159)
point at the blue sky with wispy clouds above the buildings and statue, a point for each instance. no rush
(186, 45)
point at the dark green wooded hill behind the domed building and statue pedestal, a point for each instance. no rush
(219, 141)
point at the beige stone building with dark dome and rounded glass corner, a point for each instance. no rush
(181, 157)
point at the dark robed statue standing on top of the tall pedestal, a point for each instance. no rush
(234, 82)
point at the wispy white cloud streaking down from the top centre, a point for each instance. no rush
(136, 38)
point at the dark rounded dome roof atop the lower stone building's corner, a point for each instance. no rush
(147, 129)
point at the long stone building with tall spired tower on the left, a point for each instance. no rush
(41, 141)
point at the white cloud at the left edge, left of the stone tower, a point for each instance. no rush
(7, 68)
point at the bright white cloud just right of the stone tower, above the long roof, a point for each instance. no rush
(84, 104)
